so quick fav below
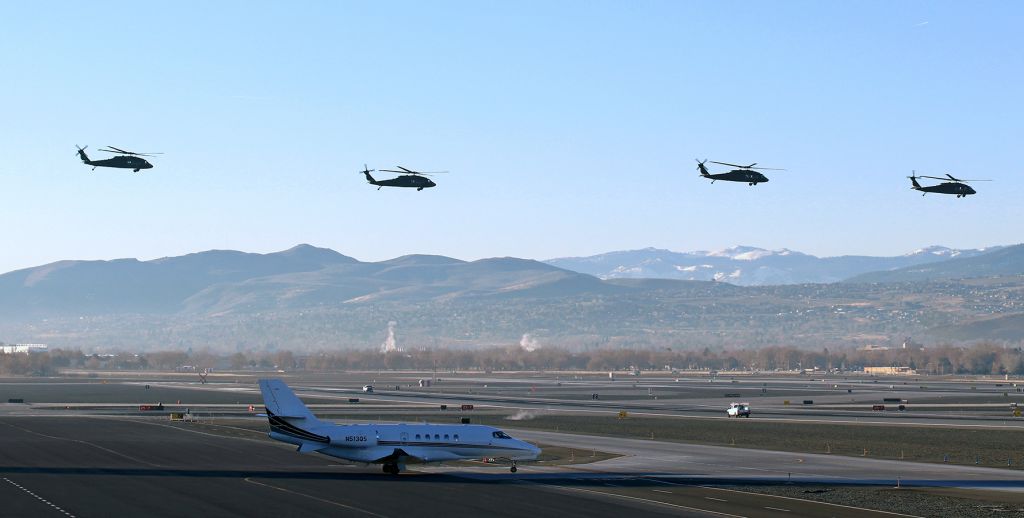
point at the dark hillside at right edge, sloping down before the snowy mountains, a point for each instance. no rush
(1003, 262)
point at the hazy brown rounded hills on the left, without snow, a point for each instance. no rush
(220, 282)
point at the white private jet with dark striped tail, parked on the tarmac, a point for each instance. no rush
(391, 446)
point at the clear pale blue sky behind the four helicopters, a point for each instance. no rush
(570, 128)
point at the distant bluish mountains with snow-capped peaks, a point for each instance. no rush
(746, 266)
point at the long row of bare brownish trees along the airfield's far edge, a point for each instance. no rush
(980, 359)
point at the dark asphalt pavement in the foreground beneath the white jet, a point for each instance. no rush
(97, 466)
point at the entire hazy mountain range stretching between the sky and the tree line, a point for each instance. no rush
(309, 298)
